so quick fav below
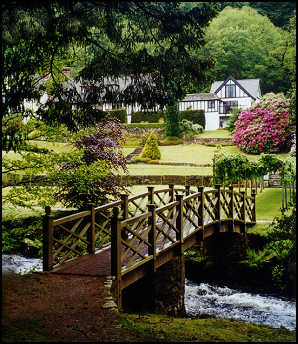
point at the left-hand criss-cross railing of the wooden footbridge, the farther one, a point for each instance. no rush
(90, 230)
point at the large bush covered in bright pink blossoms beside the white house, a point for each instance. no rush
(264, 127)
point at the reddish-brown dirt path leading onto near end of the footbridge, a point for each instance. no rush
(52, 307)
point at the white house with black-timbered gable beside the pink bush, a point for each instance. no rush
(222, 97)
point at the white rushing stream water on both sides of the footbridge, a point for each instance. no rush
(204, 299)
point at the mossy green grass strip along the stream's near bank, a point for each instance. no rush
(170, 329)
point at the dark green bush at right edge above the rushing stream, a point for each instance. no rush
(282, 233)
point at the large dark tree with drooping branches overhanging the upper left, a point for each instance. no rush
(150, 42)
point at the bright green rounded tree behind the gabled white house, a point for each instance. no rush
(246, 45)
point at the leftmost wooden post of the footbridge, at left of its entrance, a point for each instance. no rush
(47, 240)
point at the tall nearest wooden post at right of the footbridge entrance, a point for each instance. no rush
(116, 253)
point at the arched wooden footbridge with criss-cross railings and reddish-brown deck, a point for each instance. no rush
(136, 234)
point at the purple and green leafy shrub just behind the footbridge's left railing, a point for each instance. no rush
(91, 175)
